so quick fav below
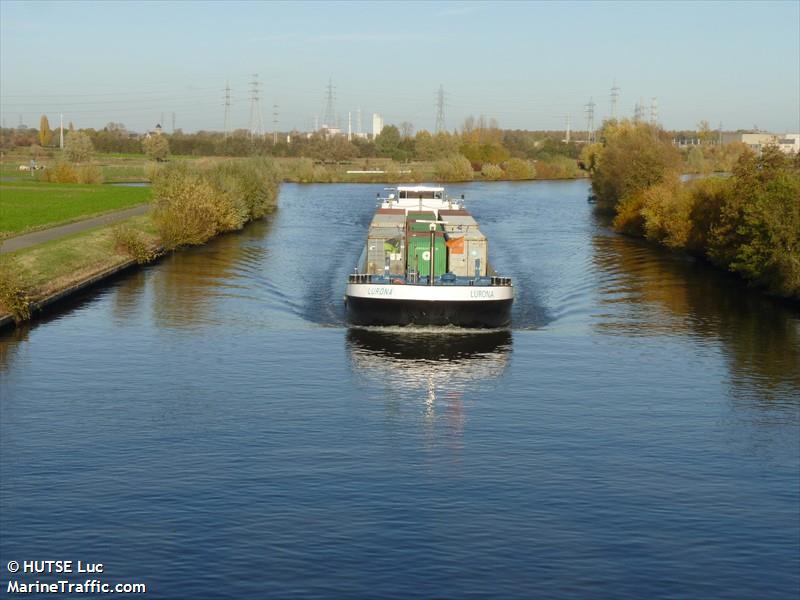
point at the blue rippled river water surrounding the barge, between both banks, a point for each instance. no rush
(209, 425)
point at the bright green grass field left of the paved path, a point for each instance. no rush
(28, 205)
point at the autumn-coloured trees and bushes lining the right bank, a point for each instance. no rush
(748, 222)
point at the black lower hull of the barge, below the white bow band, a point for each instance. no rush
(373, 311)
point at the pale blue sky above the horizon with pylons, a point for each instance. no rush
(525, 64)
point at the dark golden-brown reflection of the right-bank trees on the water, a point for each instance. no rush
(645, 290)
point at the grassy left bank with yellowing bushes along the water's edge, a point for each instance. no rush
(190, 207)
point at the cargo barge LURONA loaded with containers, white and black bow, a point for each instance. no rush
(425, 262)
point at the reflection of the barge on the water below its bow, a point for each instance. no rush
(431, 368)
